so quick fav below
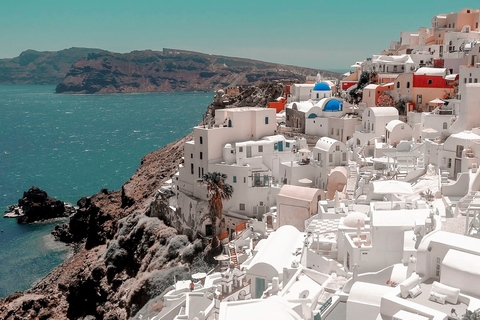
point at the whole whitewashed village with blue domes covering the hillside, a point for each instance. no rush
(353, 199)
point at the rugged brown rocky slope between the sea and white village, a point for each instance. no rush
(122, 258)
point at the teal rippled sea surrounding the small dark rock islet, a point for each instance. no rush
(73, 146)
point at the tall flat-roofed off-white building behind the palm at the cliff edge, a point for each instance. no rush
(206, 154)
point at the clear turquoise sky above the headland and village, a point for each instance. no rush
(312, 33)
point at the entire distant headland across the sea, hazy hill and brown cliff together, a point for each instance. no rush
(89, 71)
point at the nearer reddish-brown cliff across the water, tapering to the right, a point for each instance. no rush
(172, 70)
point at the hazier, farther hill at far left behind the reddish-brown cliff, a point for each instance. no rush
(36, 67)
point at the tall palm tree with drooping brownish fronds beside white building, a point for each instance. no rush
(217, 191)
